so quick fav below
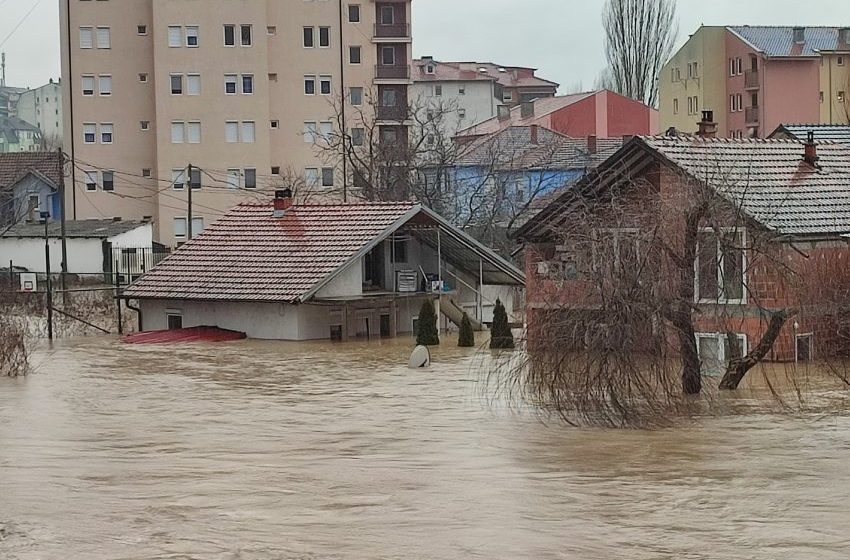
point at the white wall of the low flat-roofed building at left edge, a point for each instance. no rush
(85, 256)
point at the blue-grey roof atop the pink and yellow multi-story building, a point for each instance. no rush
(778, 41)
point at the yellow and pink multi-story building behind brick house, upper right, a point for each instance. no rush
(755, 78)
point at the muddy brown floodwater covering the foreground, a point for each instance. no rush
(283, 451)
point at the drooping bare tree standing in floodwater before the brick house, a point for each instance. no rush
(628, 277)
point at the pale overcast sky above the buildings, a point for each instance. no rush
(563, 38)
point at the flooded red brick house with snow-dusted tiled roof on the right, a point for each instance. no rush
(777, 242)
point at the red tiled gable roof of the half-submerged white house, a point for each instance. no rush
(249, 255)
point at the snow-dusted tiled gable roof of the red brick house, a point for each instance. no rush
(767, 179)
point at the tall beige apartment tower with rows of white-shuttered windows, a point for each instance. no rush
(242, 93)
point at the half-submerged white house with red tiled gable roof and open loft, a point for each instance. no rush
(280, 271)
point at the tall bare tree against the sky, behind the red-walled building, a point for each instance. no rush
(639, 39)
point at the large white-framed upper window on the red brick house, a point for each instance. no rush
(720, 267)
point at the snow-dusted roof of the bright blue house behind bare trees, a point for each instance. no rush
(512, 148)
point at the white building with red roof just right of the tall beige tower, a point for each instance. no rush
(473, 91)
